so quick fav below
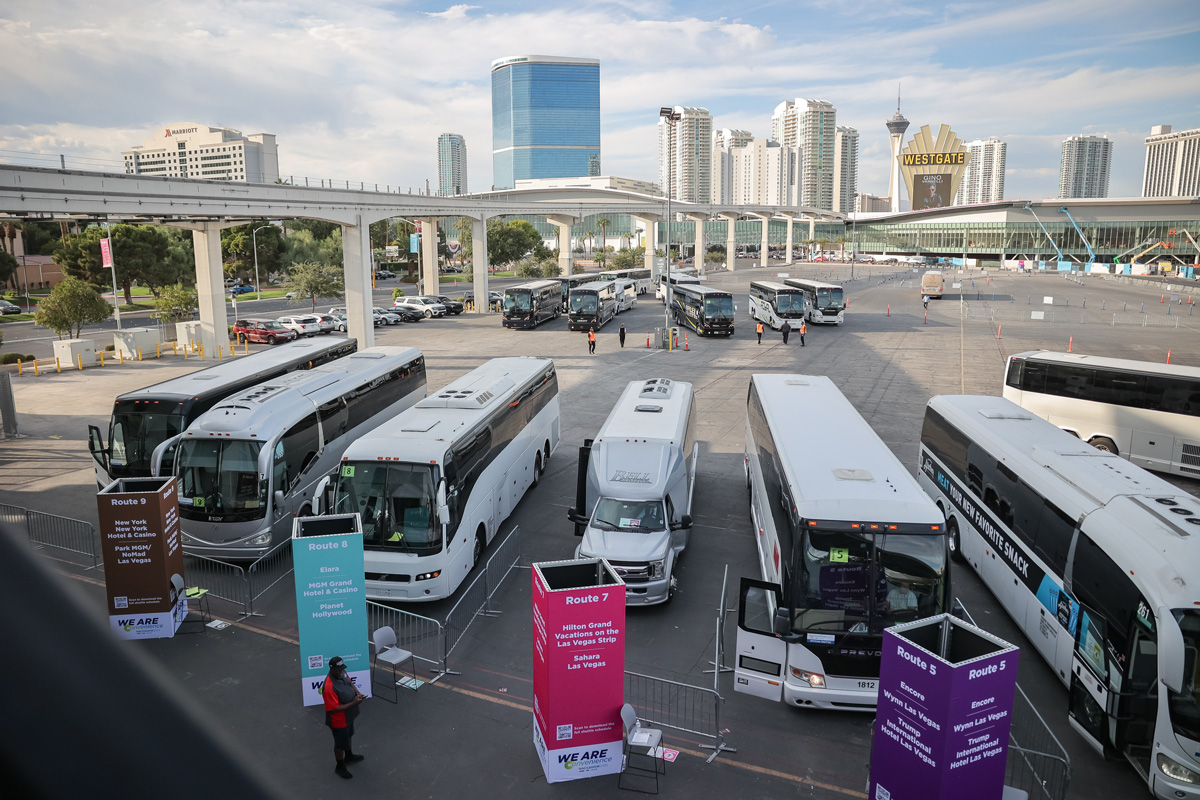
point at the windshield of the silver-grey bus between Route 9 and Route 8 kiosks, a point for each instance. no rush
(219, 482)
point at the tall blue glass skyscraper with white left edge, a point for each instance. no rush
(545, 118)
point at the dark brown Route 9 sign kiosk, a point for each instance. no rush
(140, 543)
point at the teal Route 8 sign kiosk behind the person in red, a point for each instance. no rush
(332, 601)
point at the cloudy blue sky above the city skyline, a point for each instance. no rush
(361, 91)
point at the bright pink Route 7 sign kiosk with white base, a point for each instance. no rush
(579, 669)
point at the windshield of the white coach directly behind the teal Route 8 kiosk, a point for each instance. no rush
(397, 502)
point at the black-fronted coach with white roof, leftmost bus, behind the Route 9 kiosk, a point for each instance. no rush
(146, 418)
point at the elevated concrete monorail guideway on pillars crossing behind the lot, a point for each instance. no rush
(206, 208)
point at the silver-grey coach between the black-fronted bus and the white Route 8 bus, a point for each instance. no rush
(254, 462)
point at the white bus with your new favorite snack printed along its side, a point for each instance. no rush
(1096, 561)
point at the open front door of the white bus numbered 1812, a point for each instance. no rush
(761, 655)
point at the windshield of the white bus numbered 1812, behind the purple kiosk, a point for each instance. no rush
(839, 569)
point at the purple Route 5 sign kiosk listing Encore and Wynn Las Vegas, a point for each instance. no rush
(945, 709)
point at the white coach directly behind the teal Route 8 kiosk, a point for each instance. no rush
(435, 484)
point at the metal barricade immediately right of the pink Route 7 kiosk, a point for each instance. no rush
(671, 705)
